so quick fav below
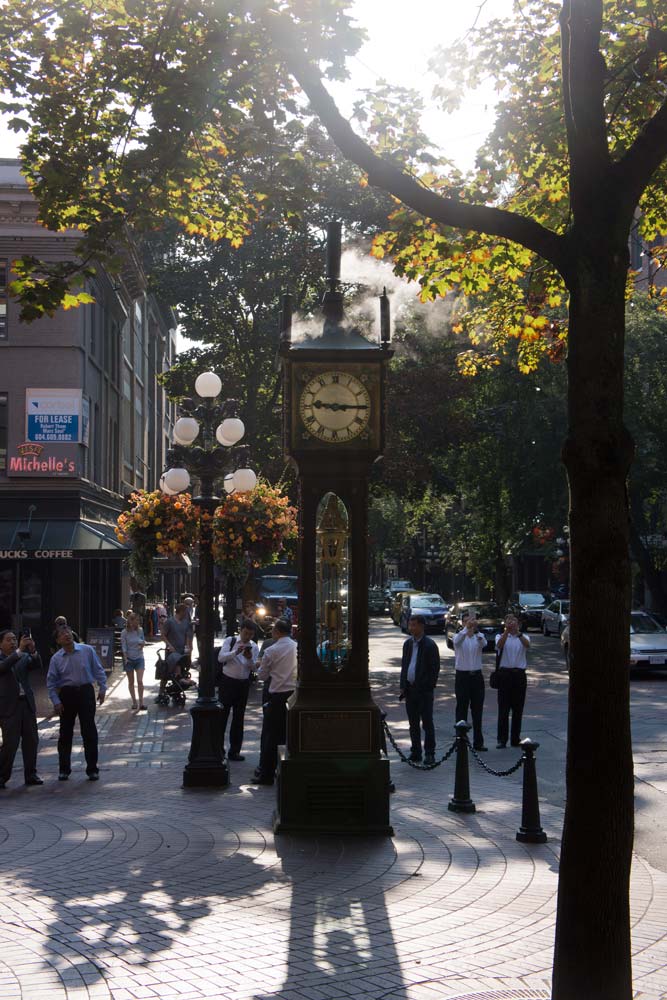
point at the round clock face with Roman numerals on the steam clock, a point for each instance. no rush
(335, 407)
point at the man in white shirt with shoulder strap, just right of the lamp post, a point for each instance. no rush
(238, 657)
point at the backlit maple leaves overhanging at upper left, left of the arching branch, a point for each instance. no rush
(147, 111)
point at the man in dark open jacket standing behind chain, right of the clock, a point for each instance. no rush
(420, 667)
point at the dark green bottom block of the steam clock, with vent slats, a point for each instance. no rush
(333, 794)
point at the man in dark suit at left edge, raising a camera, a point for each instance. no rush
(18, 714)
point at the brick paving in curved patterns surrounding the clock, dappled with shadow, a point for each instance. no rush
(137, 888)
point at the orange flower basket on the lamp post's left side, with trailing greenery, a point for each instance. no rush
(157, 525)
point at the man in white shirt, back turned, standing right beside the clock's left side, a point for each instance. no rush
(278, 665)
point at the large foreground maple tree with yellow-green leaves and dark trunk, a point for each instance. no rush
(153, 109)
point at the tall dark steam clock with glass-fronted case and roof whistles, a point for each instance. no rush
(334, 776)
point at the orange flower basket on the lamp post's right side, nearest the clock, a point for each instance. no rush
(252, 529)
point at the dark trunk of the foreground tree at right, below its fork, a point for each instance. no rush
(593, 891)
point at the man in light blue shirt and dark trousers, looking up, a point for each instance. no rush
(73, 671)
